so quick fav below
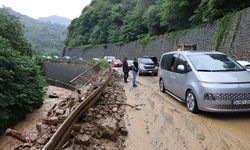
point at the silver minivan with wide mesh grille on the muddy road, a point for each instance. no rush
(207, 81)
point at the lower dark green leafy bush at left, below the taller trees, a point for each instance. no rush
(21, 85)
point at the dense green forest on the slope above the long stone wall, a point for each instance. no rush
(119, 21)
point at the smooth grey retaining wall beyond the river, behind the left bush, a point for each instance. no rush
(62, 71)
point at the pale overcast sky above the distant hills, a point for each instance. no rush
(43, 8)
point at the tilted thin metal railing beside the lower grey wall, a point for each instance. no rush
(85, 76)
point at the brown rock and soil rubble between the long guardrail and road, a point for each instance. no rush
(103, 126)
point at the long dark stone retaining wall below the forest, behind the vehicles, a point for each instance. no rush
(203, 36)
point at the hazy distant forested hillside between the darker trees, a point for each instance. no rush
(46, 38)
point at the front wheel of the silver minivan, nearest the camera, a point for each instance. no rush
(191, 102)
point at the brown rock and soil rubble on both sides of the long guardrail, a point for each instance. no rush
(101, 128)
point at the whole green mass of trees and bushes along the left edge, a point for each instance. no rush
(21, 82)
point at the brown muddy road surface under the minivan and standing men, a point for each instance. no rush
(164, 123)
